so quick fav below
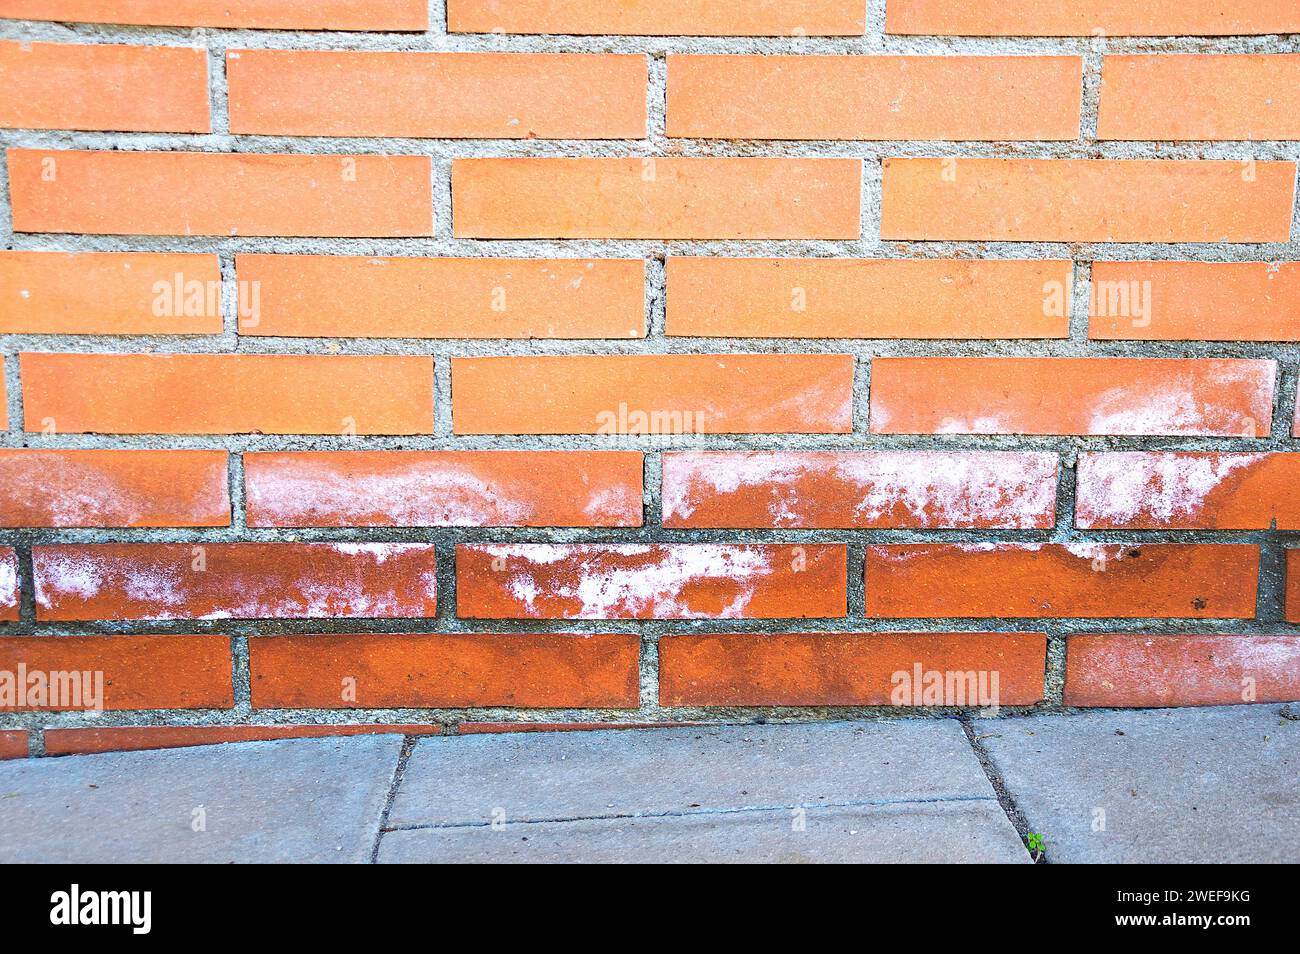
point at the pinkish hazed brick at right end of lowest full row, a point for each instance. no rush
(1139, 670)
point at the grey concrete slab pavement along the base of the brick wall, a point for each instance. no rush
(1163, 786)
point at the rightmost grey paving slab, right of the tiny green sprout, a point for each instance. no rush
(1169, 786)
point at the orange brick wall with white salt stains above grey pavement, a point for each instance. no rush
(444, 366)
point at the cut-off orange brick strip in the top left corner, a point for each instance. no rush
(258, 15)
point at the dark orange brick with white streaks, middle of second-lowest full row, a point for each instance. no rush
(599, 582)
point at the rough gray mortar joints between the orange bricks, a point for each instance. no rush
(443, 244)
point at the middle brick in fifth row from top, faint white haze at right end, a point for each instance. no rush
(618, 396)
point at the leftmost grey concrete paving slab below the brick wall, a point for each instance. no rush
(288, 801)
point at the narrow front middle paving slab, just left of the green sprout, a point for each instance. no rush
(934, 832)
